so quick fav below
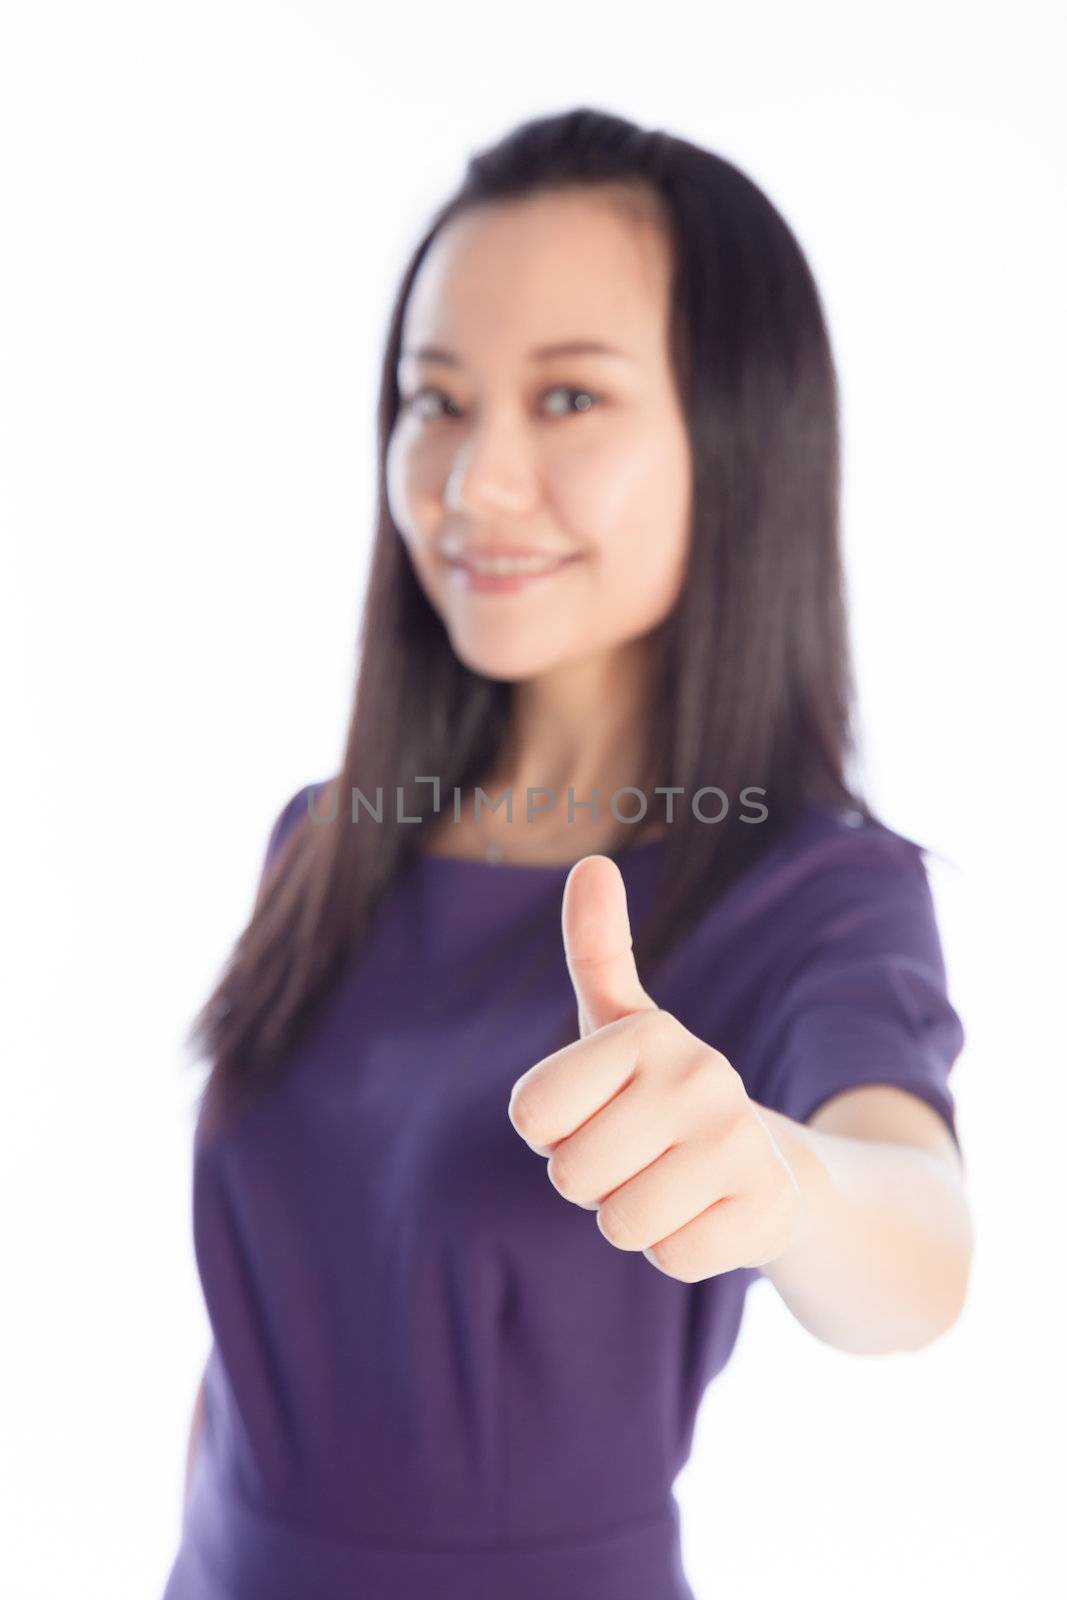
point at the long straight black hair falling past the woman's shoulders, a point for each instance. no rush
(751, 684)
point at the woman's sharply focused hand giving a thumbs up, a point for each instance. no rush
(645, 1124)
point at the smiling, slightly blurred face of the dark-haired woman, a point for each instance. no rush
(580, 458)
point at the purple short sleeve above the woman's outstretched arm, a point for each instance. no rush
(866, 998)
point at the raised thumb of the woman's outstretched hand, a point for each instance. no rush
(599, 945)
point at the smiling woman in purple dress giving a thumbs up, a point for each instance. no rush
(434, 1370)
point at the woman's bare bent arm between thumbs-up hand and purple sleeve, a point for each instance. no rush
(882, 1252)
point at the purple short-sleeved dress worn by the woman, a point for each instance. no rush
(431, 1375)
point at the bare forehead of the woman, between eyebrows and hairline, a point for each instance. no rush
(514, 274)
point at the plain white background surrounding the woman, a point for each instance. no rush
(206, 209)
